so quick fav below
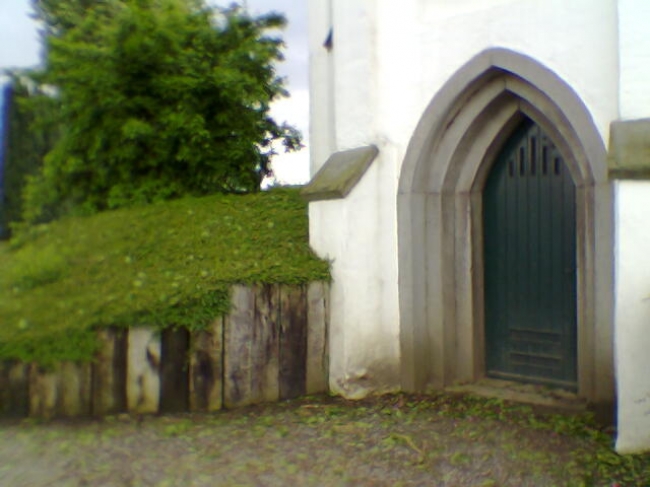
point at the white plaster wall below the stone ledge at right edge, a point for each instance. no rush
(632, 316)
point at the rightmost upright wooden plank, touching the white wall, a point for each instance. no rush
(317, 351)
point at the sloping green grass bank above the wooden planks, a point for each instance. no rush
(167, 264)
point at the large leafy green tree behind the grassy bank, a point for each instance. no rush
(158, 99)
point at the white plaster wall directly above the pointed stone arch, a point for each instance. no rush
(576, 39)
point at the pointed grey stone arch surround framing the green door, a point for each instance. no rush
(440, 219)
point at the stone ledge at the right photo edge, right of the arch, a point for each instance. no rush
(629, 149)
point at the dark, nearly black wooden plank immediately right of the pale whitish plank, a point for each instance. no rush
(174, 370)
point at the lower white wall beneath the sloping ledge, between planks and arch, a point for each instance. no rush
(364, 335)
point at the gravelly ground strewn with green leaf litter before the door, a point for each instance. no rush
(401, 440)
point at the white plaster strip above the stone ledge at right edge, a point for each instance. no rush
(634, 19)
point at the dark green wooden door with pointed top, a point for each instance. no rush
(530, 263)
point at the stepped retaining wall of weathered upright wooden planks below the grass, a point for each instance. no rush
(272, 346)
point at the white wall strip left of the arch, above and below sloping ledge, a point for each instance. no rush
(357, 233)
